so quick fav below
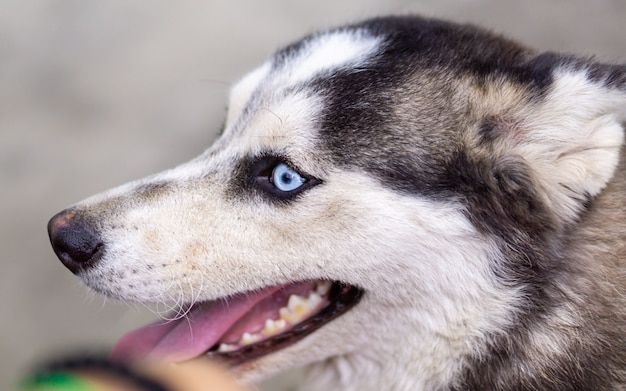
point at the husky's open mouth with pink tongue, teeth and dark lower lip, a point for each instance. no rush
(243, 327)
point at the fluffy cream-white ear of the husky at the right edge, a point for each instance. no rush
(571, 135)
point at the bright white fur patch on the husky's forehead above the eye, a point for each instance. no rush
(278, 100)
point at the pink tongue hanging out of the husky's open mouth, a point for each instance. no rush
(191, 336)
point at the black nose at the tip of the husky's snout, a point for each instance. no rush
(75, 241)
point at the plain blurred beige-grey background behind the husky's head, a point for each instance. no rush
(95, 93)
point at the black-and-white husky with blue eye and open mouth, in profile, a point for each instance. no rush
(400, 204)
